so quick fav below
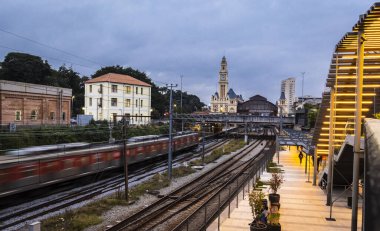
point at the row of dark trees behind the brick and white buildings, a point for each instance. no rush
(28, 68)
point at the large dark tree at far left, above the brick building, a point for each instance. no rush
(26, 68)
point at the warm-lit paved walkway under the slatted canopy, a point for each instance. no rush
(302, 205)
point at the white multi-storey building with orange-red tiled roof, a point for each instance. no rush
(112, 95)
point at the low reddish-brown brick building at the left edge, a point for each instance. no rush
(33, 104)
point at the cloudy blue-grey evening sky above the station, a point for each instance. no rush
(264, 41)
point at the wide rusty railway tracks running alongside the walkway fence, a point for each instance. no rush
(159, 216)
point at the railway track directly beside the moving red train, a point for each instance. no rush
(16, 216)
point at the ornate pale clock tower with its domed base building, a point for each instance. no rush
(224, 101)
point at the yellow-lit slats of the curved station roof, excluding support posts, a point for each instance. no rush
(342, 77)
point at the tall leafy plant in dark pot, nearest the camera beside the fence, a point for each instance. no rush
(256, 203)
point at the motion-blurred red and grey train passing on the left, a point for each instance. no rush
(32, 172)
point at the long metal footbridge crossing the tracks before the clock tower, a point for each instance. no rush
(222, 118)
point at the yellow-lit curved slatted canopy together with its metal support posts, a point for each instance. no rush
(353, 78)
